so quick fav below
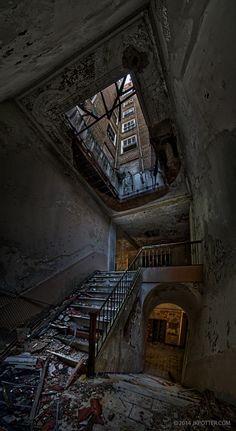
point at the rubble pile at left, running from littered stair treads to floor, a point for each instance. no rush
(40, 387)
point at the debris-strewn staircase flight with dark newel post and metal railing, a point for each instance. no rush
(84, 323)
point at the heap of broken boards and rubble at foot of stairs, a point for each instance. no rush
(46, 387)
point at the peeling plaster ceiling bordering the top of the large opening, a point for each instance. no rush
(93, 70)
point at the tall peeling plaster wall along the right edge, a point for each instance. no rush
(198, 41)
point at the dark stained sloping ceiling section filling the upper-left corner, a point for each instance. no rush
(36, 36)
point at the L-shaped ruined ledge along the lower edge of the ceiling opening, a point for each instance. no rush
(117, 191)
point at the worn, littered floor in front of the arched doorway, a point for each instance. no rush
(135, 402)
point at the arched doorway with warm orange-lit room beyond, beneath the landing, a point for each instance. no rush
(165, 341)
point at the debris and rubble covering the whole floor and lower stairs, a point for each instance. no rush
(43, 387)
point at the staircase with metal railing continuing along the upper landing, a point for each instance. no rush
(93, 320)
